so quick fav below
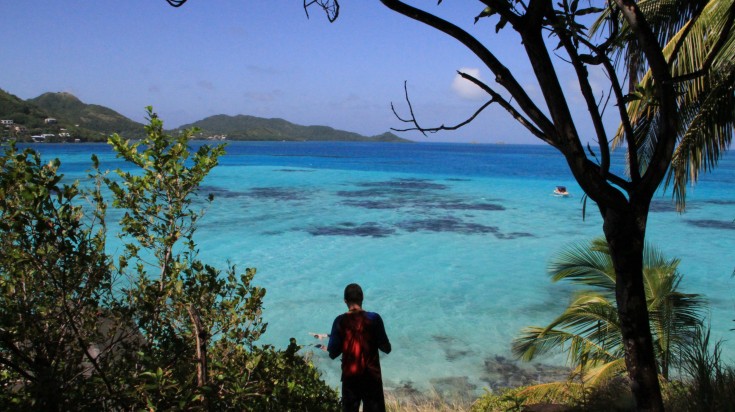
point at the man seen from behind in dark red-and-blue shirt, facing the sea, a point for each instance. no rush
(358, 335)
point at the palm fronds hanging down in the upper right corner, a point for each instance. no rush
(699, 43)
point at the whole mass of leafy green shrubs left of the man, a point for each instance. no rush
(155, 328)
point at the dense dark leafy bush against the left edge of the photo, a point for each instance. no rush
(54, 279)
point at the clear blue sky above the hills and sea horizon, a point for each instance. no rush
(266, 59)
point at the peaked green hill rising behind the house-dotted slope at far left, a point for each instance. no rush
(70, 110)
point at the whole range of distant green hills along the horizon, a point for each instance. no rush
(62, 117)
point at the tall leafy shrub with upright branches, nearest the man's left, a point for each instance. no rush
(199, 325)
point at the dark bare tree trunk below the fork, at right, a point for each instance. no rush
(625, 234)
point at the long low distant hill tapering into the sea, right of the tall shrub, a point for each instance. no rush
(243, 127)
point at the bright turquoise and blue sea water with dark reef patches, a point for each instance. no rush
(449, 241)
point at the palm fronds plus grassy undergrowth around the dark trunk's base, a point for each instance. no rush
(693, 375)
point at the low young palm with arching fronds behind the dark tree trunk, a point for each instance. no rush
(589, 328)
